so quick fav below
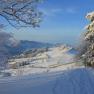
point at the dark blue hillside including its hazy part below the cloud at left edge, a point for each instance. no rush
(7, 51)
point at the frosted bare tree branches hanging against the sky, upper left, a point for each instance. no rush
(20, 12)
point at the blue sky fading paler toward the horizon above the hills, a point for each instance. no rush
(63, 22)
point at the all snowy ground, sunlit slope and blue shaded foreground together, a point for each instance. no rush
(55, 74)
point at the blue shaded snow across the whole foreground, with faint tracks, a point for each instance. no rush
(78, 81)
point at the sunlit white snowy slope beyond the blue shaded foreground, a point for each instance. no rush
(55, 59)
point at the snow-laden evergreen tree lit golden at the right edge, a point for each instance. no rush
(88, 53)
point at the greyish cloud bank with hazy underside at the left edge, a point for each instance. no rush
(6, 40)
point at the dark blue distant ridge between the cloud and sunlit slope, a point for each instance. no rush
(25, 45)
